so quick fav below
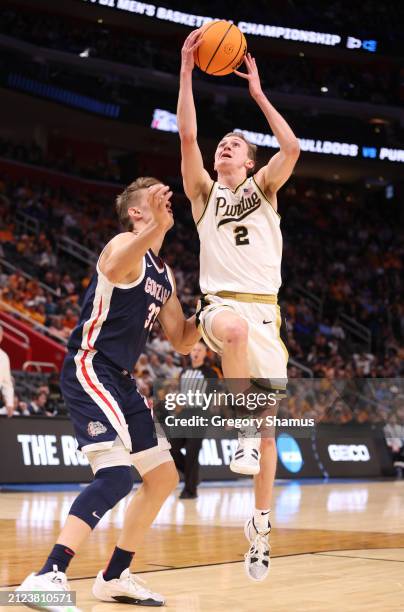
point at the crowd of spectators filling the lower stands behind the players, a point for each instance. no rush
(355, 269)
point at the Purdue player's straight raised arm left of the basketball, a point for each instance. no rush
(196, 179)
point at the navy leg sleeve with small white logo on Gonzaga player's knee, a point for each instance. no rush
(109, 486)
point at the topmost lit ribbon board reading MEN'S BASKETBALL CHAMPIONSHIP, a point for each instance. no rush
(249, 28)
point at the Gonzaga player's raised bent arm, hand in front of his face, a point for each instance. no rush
(121, 260)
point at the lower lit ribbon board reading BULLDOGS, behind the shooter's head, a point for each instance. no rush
(166, 121)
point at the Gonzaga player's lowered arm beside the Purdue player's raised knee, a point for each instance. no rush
(181, 332)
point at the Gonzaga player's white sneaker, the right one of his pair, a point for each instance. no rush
(125, 589)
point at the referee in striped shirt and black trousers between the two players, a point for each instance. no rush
(194, 378)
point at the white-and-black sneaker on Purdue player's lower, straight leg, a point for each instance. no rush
(257, 561)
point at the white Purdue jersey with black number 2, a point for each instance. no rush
(241, 241)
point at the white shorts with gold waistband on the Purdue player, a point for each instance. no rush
(267, 353)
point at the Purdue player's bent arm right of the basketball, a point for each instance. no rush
(279, 168)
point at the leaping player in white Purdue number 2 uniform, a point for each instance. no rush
(240, 270)
